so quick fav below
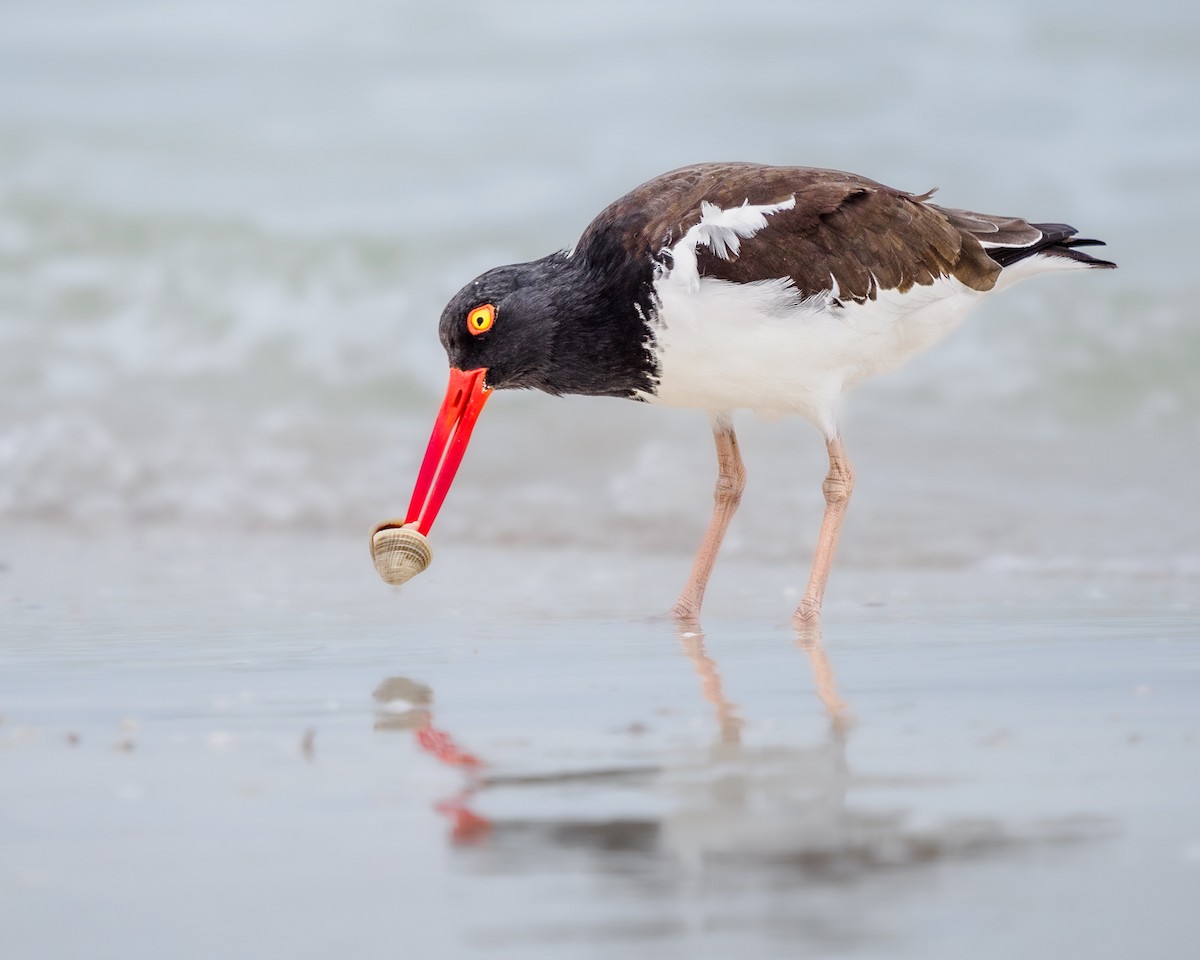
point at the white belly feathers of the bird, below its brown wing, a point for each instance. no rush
(758, 346)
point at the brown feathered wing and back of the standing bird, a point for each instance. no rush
(865, 236)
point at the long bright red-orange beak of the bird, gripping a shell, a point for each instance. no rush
(466, 398)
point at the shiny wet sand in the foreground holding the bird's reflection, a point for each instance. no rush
(251, 747)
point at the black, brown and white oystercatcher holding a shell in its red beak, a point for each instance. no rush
(728, 286)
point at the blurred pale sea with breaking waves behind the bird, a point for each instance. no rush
(227, 231)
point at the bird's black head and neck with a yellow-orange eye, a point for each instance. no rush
(553, 325)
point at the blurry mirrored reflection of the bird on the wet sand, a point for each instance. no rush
(759, 827)
